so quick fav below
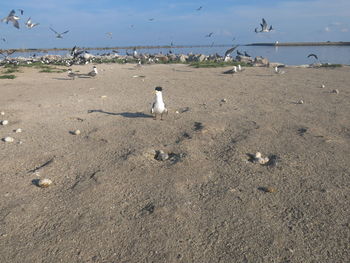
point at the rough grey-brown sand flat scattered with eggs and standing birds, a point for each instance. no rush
(111, 201)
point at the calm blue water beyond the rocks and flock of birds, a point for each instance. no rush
(286, 55)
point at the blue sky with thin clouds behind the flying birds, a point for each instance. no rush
(148, 22)
